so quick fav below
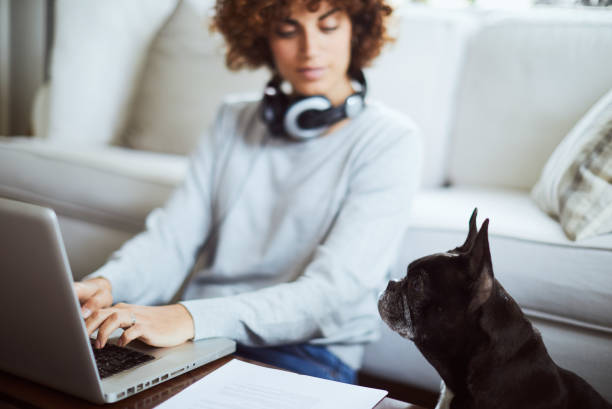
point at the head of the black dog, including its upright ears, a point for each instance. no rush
(438, 298)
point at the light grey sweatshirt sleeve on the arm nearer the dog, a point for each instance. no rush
(350, 263)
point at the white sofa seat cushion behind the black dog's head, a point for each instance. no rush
(542, 269)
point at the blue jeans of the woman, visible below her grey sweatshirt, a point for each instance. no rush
(313, 360)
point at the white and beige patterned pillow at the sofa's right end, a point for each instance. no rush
(576, 183)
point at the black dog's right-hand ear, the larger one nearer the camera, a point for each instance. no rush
(481, 268)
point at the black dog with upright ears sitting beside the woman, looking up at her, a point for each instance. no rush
(476, 336)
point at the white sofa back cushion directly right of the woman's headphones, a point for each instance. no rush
(417, 75)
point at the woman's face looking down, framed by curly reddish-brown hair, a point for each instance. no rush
(312, 50)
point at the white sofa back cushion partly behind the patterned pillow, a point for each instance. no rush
(528, 77)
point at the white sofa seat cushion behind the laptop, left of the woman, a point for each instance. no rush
(110, 186)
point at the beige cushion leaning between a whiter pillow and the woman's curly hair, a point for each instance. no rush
(183, 83)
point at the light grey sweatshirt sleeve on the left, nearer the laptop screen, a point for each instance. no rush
(149, 268)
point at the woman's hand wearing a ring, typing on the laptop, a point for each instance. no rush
(163, 326)
